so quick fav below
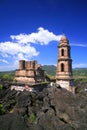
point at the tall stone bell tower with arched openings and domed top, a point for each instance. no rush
(64, 64)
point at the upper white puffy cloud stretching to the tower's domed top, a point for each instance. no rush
(42, 37)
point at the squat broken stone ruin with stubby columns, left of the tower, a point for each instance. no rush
(29, 72)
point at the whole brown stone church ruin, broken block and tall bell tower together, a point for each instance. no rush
(31, 72)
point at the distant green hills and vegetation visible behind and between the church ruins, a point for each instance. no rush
(78, 73)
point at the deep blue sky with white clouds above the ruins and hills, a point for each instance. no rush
(31, 30)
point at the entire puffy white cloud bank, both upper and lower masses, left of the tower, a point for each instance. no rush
(22, 46)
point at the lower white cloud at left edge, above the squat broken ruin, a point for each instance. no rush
(8, 49)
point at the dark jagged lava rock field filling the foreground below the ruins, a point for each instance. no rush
(53, 108)
